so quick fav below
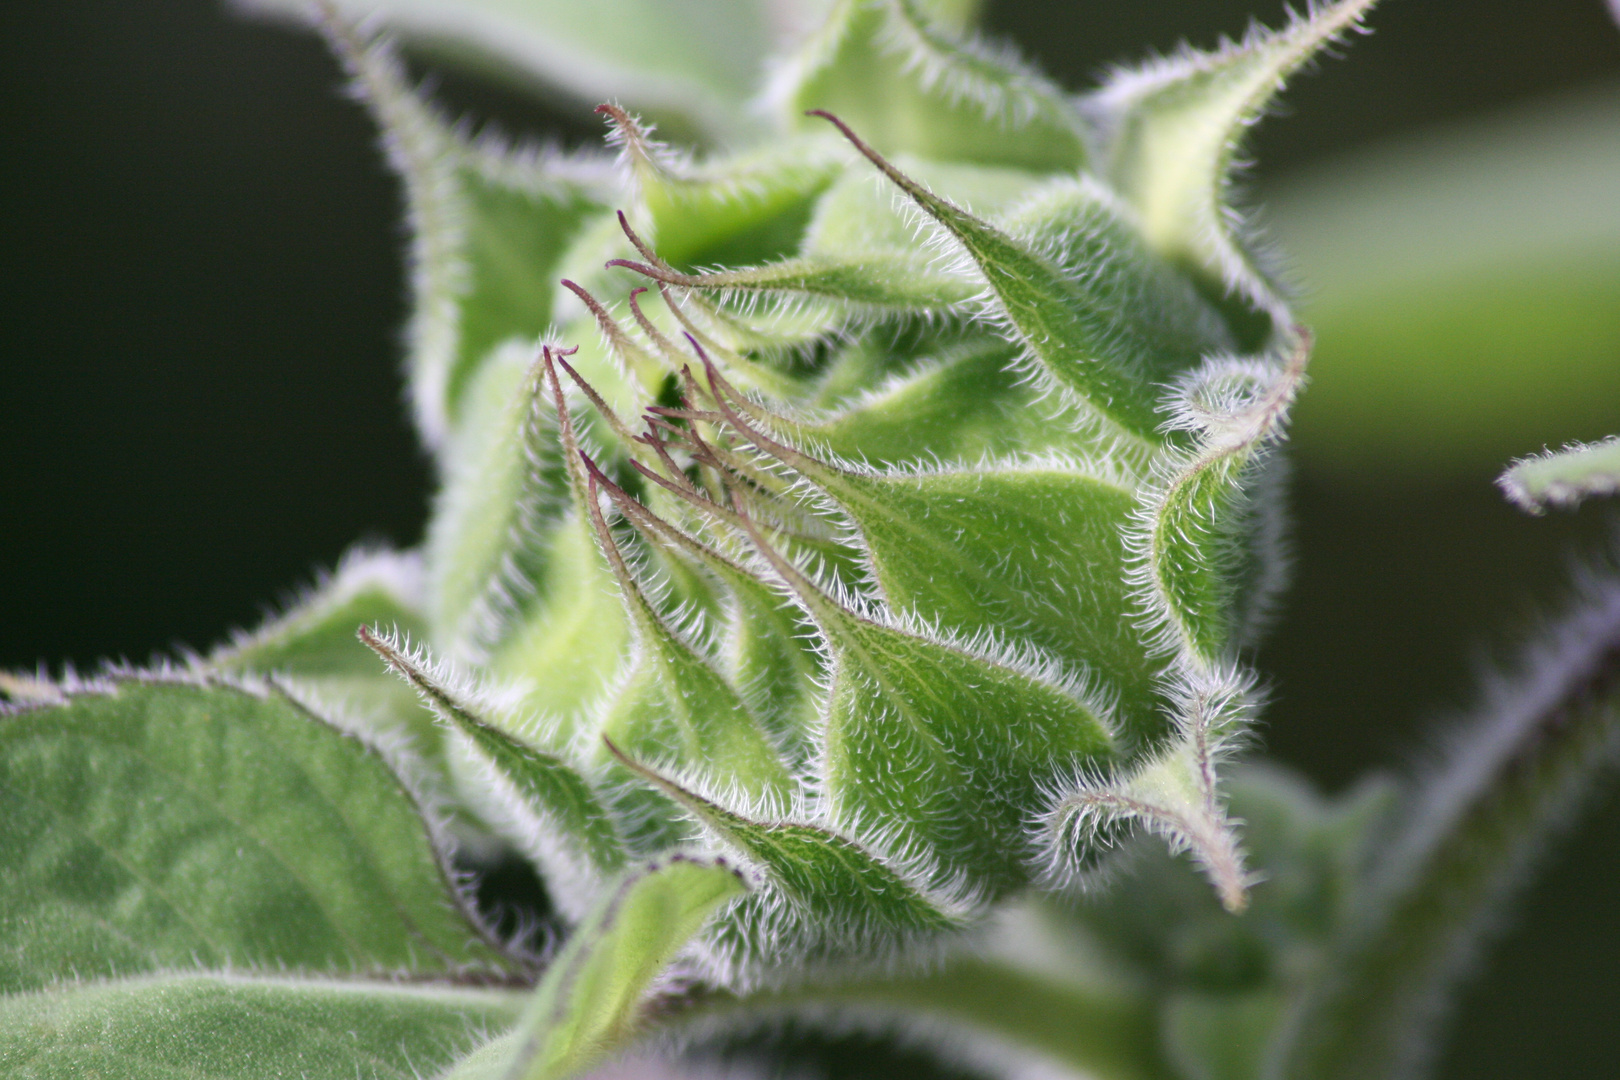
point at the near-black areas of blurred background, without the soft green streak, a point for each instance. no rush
(203, 292)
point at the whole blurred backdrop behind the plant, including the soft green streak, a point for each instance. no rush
(203, 294)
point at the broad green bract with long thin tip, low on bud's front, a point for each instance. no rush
(942, 746)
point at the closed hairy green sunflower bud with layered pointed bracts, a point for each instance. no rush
(887, 508)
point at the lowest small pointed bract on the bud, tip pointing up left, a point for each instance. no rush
(825, 898)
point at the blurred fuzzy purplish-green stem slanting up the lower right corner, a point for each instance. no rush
(1472, 831)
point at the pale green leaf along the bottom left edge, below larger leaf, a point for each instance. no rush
(181, 1027)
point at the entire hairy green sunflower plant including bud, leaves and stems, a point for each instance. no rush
(843, 542)
